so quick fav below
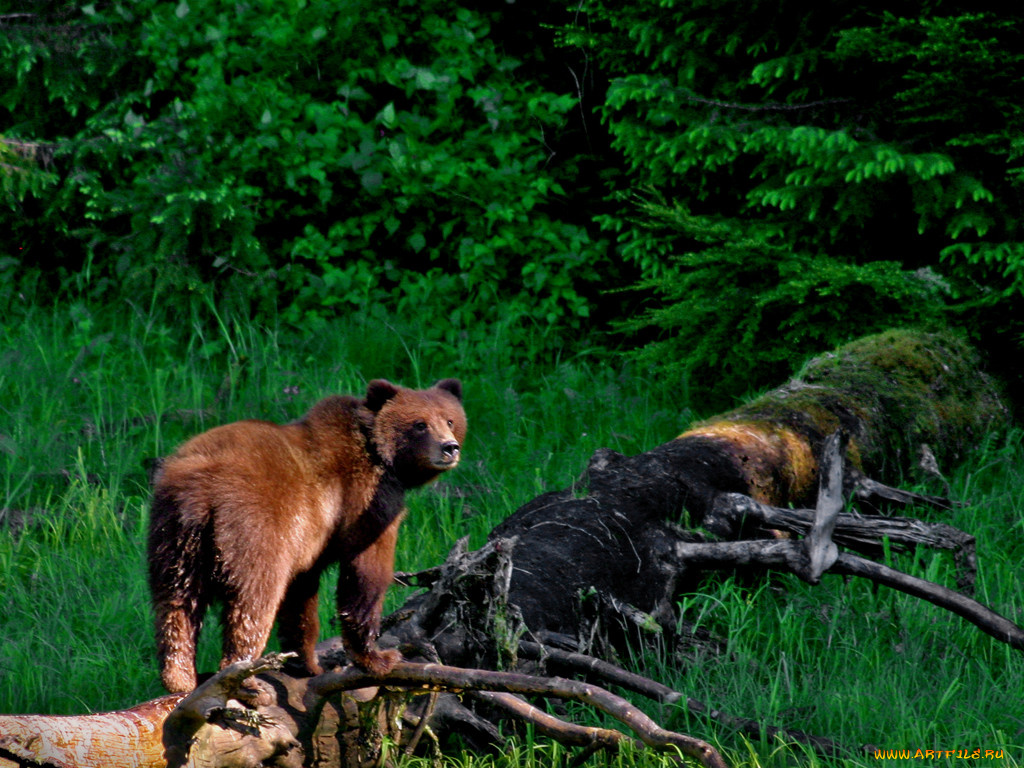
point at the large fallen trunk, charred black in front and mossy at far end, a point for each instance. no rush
(736, 477)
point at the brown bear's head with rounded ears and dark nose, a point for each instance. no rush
(419, 433)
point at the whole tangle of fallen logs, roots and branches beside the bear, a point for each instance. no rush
(575, 575)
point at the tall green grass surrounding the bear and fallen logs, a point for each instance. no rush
(88, 396)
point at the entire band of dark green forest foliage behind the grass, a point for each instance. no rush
(782, 177)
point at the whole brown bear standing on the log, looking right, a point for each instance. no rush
(249, 515)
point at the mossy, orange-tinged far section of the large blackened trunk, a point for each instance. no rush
(910, 402)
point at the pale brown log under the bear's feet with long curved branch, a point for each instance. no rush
(338, 718)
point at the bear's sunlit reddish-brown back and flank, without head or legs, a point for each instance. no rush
(258, 482)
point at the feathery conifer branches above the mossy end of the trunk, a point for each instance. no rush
(797, 170)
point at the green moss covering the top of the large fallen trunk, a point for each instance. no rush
(893, 393)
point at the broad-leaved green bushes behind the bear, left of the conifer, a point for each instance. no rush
(314, 157)
